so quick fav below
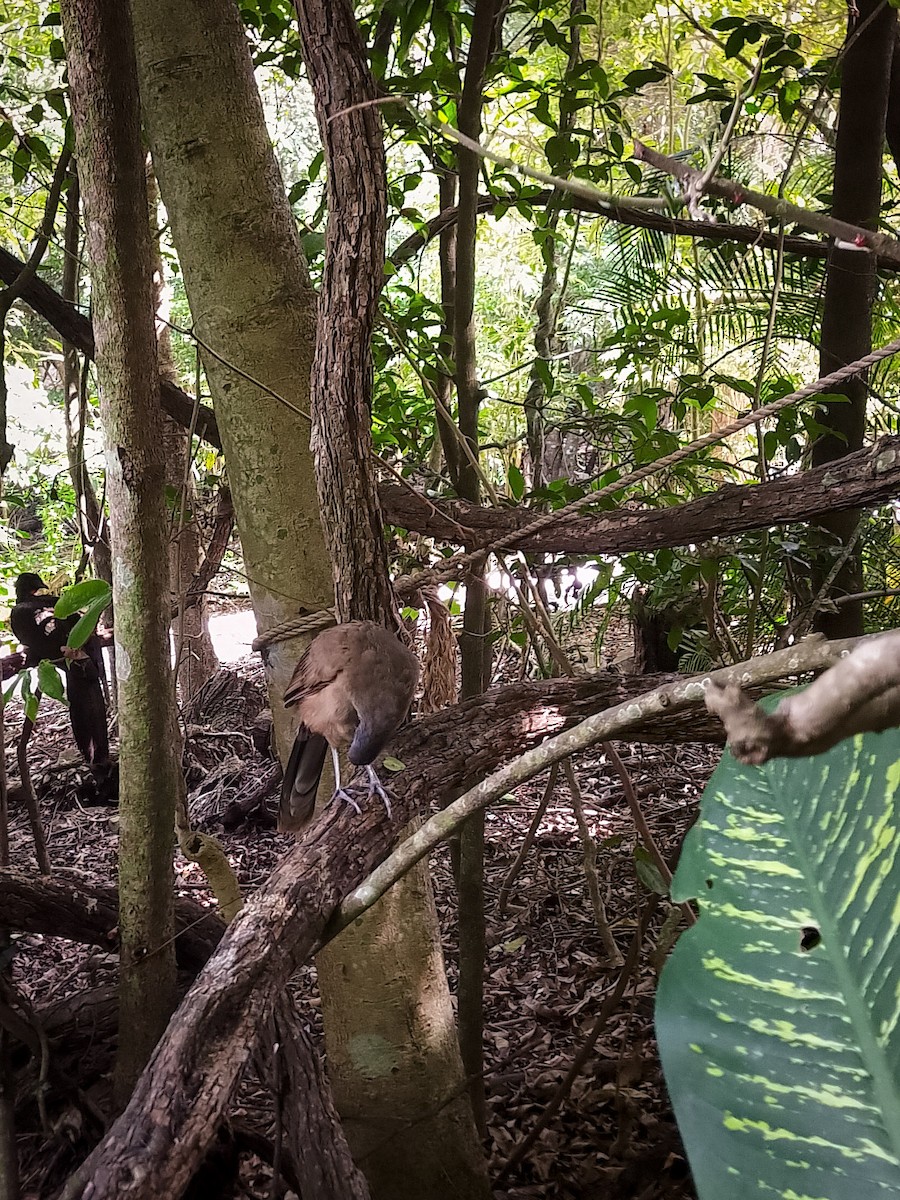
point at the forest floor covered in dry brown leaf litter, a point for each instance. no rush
(614, 1135)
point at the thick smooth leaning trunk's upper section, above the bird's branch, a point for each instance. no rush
(251, 299)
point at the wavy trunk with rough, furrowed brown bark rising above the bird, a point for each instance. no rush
(351, 286)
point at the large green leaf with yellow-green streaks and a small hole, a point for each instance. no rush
(779, 1012)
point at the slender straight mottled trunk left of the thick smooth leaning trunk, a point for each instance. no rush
(105, 103)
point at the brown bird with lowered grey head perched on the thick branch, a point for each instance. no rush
(353, 689)
